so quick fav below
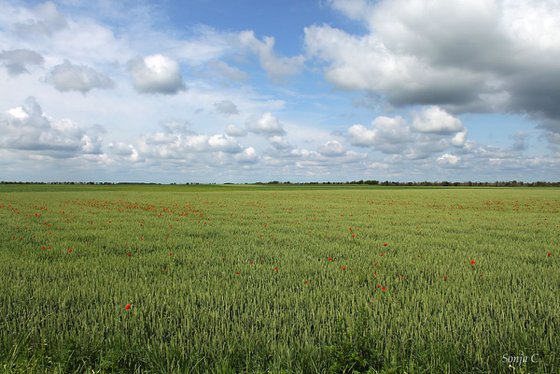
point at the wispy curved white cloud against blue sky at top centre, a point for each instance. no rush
(275, 66)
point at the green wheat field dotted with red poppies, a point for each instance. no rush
(263, 278)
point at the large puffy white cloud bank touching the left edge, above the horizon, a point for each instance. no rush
(27, 128)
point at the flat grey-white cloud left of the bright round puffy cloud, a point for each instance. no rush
(69, 77)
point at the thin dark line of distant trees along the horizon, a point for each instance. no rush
(513, 183)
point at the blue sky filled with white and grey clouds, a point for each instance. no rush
(314, 90)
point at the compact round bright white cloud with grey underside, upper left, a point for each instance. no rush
(156, 74)
